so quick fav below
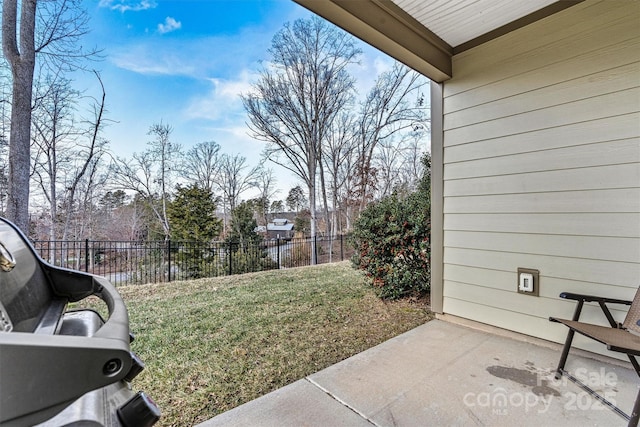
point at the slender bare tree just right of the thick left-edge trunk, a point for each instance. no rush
(67, 156)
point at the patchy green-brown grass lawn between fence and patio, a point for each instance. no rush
(213, 344)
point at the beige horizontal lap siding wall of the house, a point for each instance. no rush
(541, 166)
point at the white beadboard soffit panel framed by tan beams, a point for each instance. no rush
(458, 21)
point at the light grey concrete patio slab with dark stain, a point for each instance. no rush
(447, 374)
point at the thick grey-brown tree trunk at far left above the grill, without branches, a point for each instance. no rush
(22, 62)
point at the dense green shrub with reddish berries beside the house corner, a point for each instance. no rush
(391, 238)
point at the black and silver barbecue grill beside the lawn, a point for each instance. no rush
(61, 367)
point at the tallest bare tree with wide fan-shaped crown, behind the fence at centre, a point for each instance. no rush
(297, 97)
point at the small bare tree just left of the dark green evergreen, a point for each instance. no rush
(150, 173)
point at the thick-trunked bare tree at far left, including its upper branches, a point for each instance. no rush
(50, 29)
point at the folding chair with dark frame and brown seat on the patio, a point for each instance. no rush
(619, 337)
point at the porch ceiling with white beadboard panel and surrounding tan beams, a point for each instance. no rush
(425, 34)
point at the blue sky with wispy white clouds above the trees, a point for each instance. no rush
(185, 63)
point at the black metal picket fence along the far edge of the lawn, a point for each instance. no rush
(132, 262)
